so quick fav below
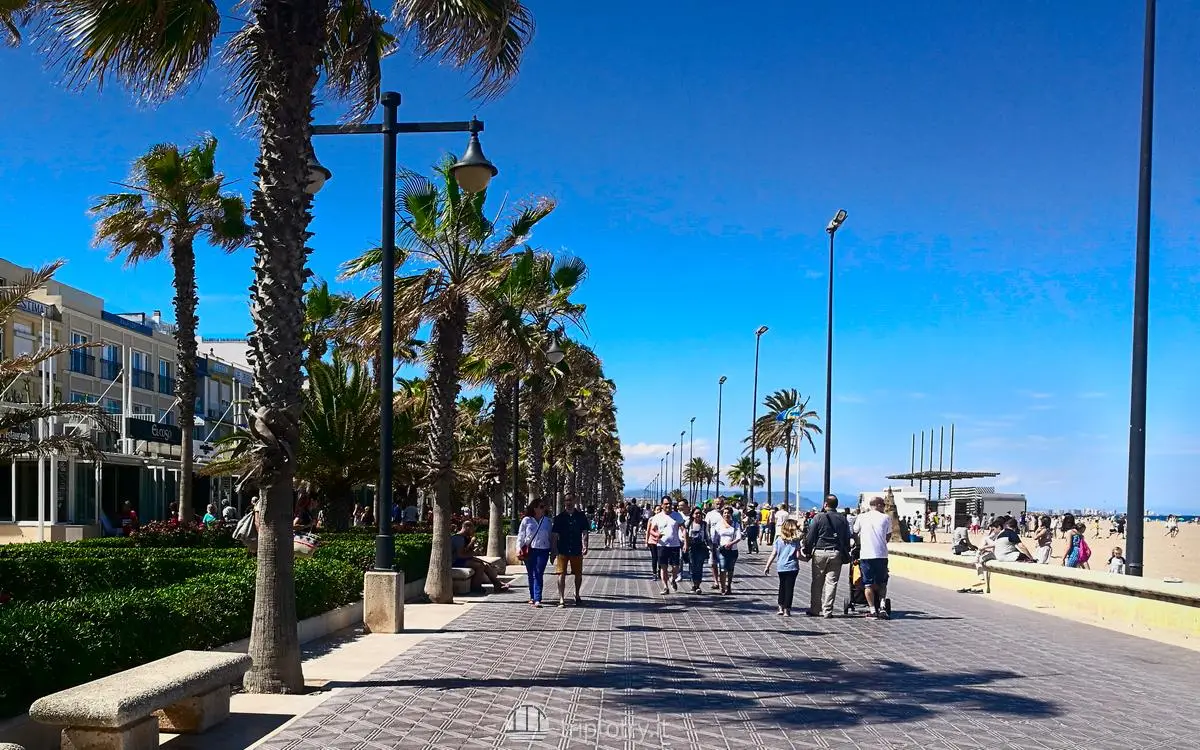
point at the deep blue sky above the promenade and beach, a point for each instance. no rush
(987, 155)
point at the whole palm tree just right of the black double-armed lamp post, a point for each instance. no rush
(454, 256)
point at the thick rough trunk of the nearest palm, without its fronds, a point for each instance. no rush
(293, 37)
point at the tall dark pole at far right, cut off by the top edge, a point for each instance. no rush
(1136, 496)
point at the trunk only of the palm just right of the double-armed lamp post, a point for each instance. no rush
(447, 344)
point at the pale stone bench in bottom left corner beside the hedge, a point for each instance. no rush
(185, 693)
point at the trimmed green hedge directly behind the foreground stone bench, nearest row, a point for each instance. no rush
(50, 646)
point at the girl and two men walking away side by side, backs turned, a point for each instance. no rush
(829, 545)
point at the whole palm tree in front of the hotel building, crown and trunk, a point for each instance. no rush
(175, 199)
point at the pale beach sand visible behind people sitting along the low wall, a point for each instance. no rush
(1166, 557)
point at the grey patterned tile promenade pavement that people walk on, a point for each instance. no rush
(635, 670)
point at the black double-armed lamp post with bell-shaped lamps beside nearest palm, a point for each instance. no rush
(473, 172)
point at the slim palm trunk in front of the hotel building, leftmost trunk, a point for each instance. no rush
(183, 259)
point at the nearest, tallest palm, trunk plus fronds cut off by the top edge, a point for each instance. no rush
(277, 62)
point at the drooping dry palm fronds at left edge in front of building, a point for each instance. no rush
(20, 423)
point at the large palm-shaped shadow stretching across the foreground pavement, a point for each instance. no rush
(788, 692)
